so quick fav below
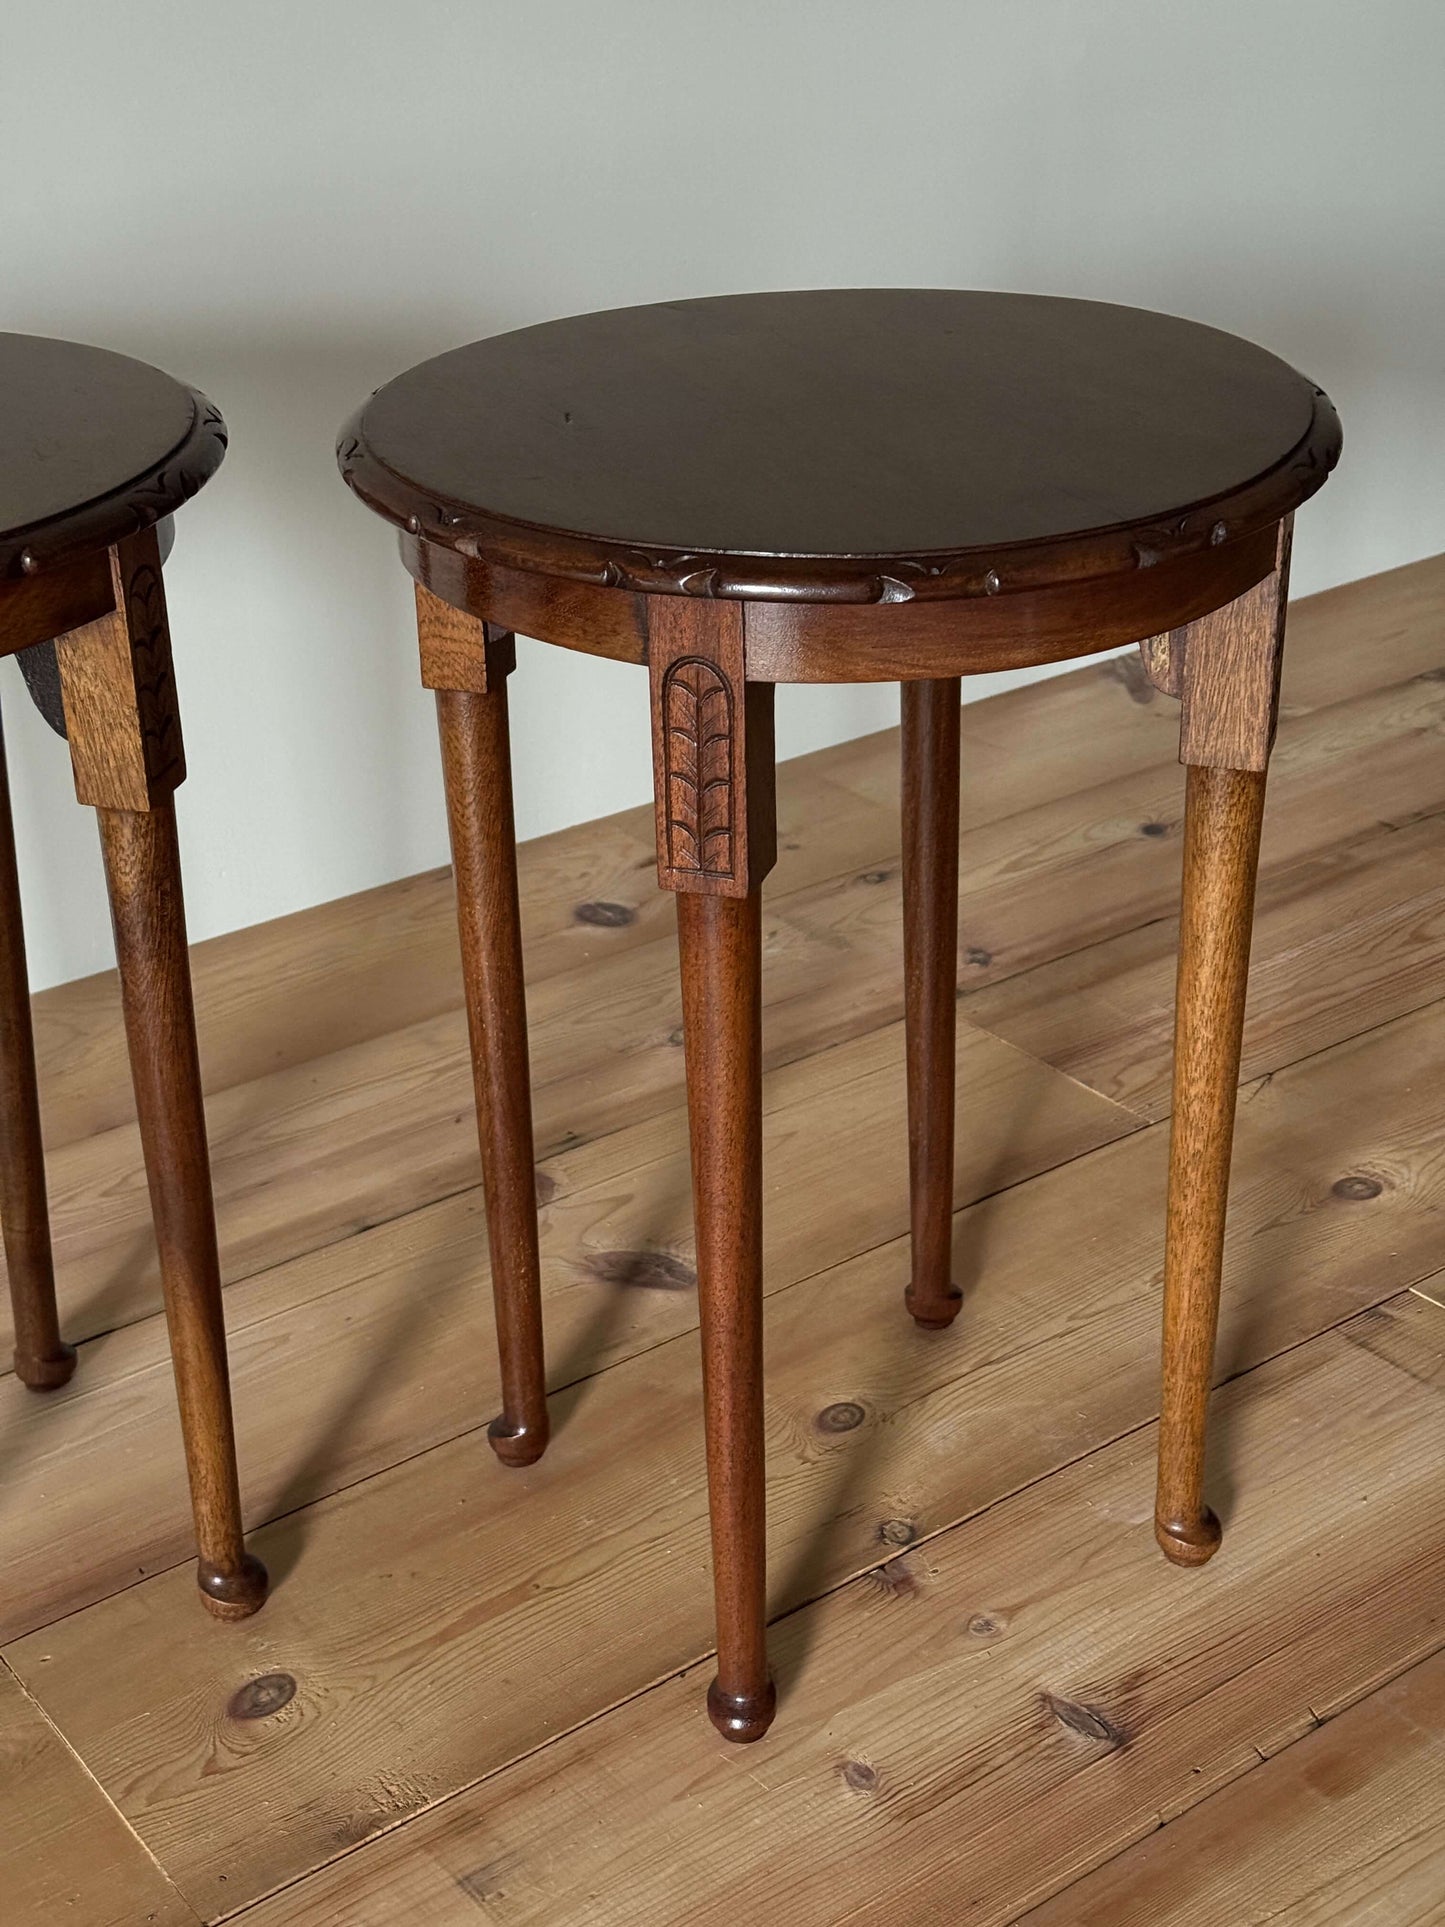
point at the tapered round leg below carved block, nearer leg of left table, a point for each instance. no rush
(144, 872)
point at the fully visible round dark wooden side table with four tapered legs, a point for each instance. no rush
(831, 488)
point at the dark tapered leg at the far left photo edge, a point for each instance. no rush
(43, 1361)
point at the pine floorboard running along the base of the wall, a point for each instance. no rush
(327, 978)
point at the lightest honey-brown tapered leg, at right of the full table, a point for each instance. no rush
(1222, 841)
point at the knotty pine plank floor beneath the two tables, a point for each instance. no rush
(997, 1701)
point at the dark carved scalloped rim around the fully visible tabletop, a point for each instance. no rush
(887, 579)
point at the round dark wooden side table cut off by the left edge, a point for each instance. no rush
(95, 454)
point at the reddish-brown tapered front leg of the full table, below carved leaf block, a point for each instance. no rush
(720, 941)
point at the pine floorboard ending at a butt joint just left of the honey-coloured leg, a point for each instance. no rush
(381, 1346)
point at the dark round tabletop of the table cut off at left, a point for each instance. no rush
(93, 446)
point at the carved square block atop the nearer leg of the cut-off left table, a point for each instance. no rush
(118, 689)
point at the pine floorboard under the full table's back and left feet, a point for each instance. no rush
(467, 1589)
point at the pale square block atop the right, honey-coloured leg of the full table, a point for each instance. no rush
(1226, 672)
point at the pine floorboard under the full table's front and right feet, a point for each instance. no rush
(968, 1728)
